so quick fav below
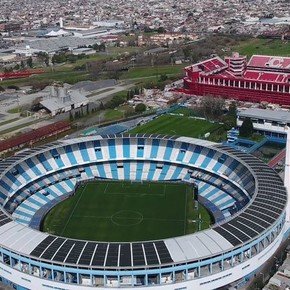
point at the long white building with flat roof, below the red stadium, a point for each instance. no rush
(267, 122)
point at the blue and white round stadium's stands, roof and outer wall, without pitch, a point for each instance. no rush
(246, 198)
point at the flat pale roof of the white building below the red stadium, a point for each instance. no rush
(271, 115)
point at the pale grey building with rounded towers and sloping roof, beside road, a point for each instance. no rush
(61, 100)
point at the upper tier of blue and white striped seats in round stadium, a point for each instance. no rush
(68, 156)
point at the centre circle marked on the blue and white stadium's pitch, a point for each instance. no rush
(127, 218)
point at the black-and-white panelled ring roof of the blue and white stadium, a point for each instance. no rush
(257, 217)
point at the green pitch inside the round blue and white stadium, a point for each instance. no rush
(127, 211)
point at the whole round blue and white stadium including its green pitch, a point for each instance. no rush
(158, 175)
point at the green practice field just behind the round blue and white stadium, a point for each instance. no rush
(177, 125)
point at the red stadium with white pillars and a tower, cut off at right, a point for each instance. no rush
(261, 79)
